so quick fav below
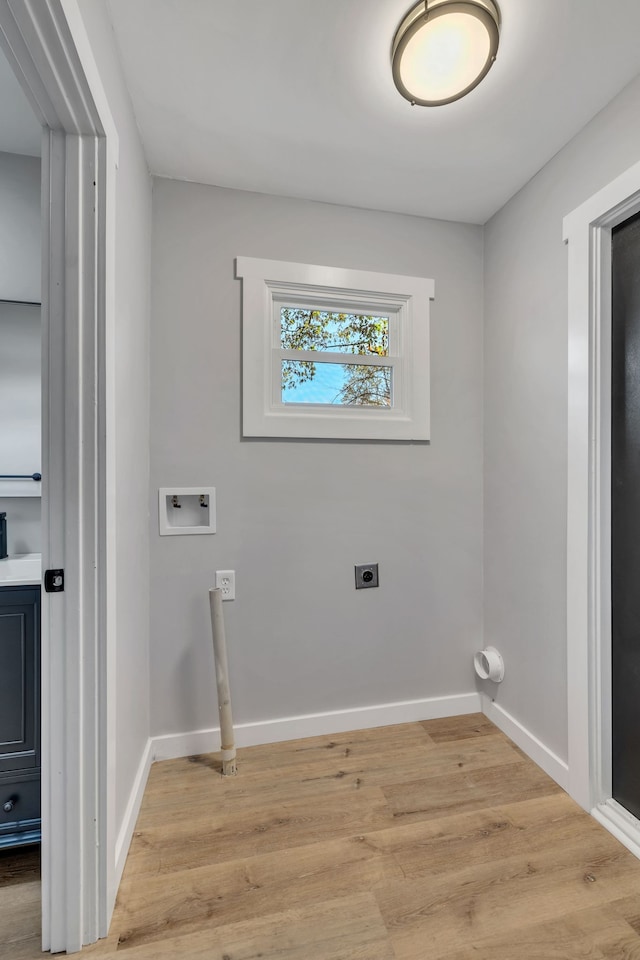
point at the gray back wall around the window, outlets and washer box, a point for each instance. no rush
(294, 517)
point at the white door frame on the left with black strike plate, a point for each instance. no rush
(47, 46)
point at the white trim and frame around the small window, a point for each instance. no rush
(404, 299)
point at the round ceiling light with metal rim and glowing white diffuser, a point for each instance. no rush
(443, 49)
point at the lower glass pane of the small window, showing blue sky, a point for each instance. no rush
(345, 384)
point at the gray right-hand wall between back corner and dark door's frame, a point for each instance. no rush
(525, 416)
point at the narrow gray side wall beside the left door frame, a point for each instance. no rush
(131, 427)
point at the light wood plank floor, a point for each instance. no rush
(428, 841)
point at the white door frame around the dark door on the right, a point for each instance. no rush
(587, 230)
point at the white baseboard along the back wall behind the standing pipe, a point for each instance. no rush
(170, 746)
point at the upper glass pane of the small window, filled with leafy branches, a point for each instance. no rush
(338, 332)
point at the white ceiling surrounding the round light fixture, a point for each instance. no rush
(295, 97)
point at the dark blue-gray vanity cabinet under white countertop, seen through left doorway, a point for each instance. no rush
(19, 715)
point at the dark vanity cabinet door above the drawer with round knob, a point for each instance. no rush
(19, 679)
